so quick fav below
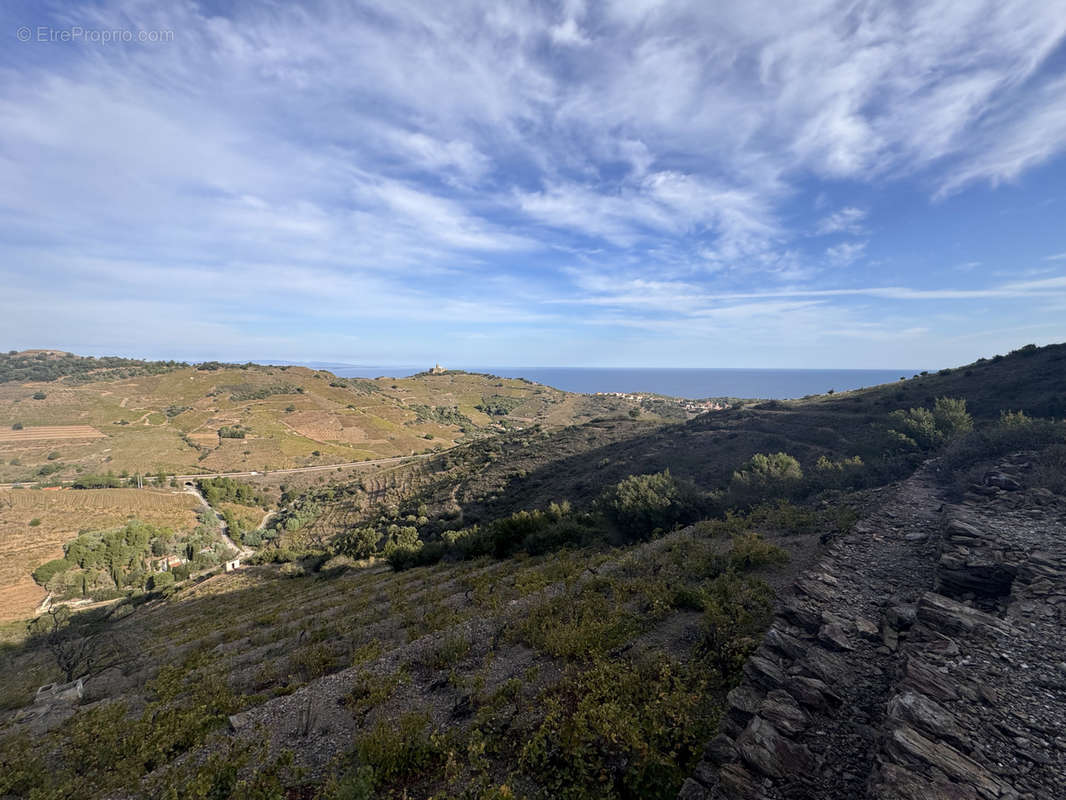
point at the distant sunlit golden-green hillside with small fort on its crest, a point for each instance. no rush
(92, 417)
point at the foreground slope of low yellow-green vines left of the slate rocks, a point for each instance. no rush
(456, 681)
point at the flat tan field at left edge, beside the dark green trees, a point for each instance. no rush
(62, 515)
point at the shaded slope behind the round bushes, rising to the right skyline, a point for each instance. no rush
(529, 470)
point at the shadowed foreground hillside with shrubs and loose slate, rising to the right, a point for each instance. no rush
(547, 614)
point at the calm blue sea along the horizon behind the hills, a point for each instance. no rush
(690, 383)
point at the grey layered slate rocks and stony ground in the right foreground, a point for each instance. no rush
(922, 660)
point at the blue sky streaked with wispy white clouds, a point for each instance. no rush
(686, 185)
